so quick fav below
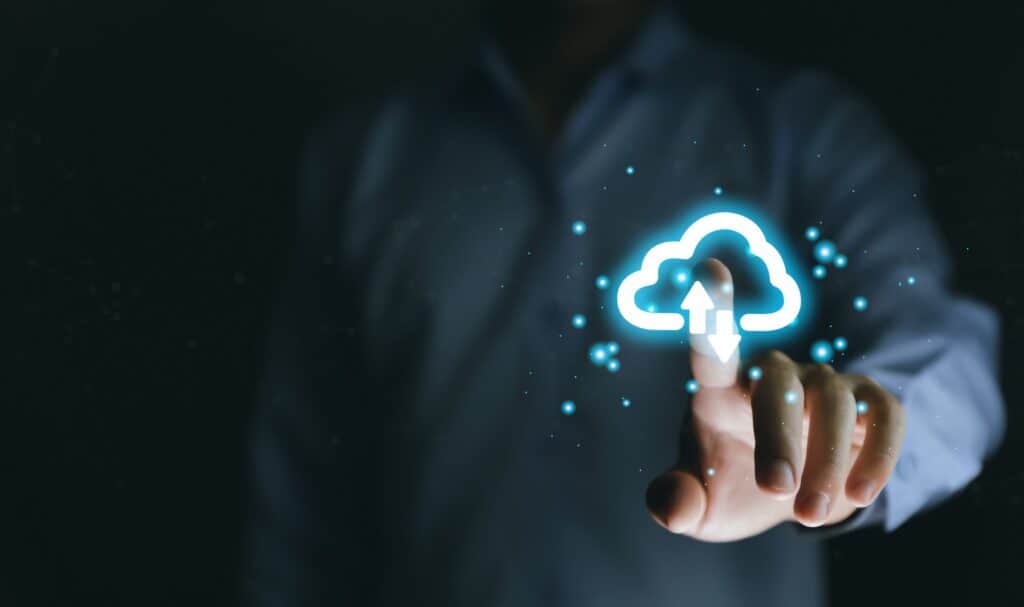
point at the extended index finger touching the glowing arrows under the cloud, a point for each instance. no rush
(712, 331)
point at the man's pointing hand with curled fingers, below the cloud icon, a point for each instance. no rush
(787, 447)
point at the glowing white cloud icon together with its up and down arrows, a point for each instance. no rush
(697, 300)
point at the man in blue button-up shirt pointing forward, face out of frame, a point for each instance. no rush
(412, 448)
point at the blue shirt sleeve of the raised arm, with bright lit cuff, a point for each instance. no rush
(934, 350)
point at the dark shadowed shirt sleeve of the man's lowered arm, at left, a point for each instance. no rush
(310, 430)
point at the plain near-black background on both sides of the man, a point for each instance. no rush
(147, 152)
